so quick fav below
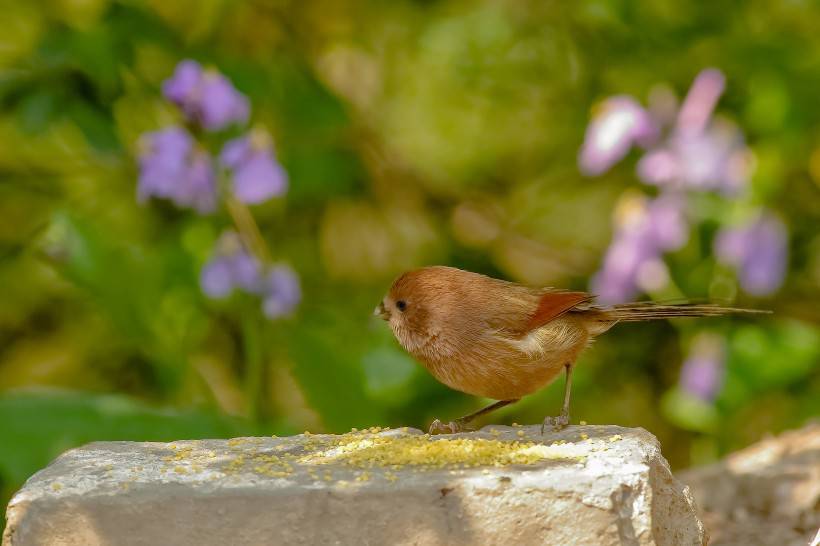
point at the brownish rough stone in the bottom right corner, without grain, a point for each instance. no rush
(768, 493)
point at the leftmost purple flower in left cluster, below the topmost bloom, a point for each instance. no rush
(172, 168)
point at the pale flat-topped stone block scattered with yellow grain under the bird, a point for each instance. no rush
(585, 485)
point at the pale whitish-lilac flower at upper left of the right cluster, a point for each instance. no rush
(619, 124)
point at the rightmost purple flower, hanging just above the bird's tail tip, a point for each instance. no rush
(758, 250)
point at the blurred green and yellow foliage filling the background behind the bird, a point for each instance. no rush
(413, 133)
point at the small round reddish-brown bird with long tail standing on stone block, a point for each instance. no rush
(502, 340)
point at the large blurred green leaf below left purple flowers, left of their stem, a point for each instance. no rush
(150, 301)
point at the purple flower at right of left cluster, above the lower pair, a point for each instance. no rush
(257, 176)
